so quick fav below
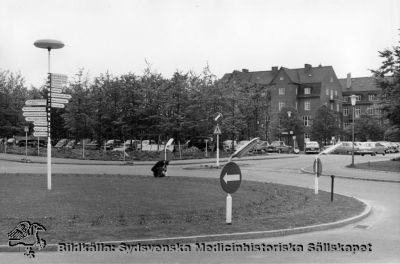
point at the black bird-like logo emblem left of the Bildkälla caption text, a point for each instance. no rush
(27, 234)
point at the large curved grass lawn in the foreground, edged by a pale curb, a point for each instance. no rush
(86, 208)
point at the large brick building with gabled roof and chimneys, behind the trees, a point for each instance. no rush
(304, 89)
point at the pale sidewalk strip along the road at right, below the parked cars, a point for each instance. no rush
(341, 171)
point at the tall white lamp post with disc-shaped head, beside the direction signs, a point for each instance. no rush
(48, 44)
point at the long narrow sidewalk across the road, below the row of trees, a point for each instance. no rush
(36, 159)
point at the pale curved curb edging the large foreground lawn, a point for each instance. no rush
(221, 237)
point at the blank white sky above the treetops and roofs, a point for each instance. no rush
(118, 35)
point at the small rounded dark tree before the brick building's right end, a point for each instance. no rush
(325, 125)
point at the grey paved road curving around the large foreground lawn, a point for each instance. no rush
(381, 229)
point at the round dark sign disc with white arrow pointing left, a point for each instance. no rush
(230, 177)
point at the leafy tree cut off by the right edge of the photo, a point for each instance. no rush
(388, 78)
